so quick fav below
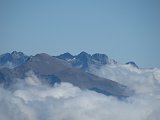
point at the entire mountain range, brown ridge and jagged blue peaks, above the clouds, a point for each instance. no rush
(62, 68)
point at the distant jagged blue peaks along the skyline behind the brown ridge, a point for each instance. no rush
(82, 61)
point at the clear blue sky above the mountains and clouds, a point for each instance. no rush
(123, 29)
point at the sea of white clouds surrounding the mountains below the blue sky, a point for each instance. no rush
(30, 99)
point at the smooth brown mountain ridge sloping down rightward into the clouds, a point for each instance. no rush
(57, 70)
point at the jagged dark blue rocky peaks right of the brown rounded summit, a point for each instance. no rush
(84, 60)
